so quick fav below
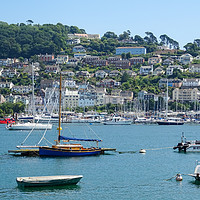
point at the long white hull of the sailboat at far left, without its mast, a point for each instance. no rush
(29, 126)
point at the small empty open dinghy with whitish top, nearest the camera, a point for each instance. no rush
(38, 181)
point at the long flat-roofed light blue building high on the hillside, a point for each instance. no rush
(131, 50)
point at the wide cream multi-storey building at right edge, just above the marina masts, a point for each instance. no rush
(183, 95)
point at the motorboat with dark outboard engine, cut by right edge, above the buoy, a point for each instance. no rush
(188, 145)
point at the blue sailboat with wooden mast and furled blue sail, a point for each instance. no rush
(68, 149)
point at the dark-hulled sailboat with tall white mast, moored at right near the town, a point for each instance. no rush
(169, 121)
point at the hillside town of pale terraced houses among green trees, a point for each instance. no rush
(134, 79)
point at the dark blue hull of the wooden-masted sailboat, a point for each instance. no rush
(54, 152)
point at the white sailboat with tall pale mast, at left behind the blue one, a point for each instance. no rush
(30, 125)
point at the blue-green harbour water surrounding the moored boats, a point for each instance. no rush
(125, 175)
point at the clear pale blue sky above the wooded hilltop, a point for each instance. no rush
(179, 19)
